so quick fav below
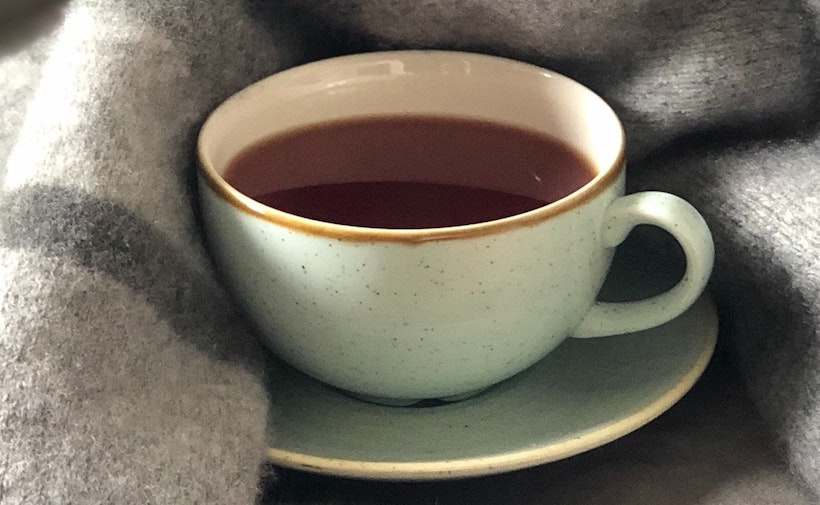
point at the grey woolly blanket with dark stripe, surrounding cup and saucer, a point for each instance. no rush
(128, 376)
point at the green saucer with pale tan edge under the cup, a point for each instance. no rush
(582, 395)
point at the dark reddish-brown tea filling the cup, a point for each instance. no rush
(408, 172)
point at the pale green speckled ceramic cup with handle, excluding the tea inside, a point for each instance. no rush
(400, 315)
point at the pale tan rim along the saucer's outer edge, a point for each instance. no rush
(515, 460)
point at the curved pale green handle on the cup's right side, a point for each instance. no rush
(687, 226)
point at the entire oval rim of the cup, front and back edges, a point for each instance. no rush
(208, 173)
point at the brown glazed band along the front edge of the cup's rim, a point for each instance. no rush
(221, 188)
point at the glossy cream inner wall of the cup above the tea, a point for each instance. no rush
(416, 83)
